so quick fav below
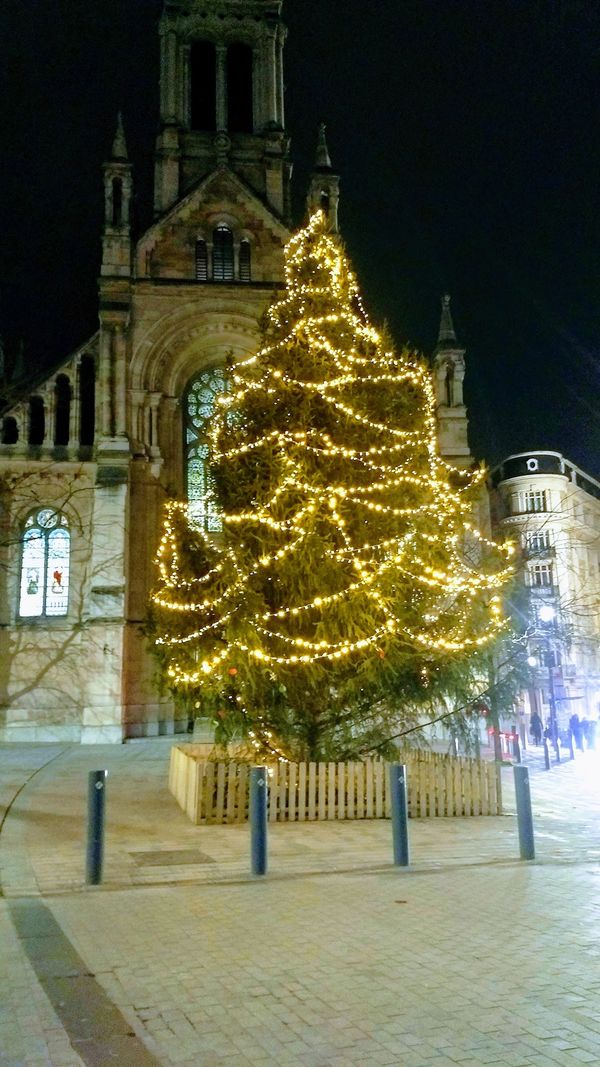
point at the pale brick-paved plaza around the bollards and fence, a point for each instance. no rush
(470, 957)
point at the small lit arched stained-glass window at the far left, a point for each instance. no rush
(45, 565)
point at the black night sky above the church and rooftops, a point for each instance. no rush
(467, 134)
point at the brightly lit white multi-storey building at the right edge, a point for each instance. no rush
(552, 511)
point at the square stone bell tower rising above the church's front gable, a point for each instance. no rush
(222, 99)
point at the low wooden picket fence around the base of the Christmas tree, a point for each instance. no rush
(438, 786)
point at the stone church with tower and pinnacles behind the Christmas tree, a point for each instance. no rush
(88, 460)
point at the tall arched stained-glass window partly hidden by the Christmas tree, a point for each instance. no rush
(200, 407)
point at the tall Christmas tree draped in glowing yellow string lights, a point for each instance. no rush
(349, 571)
